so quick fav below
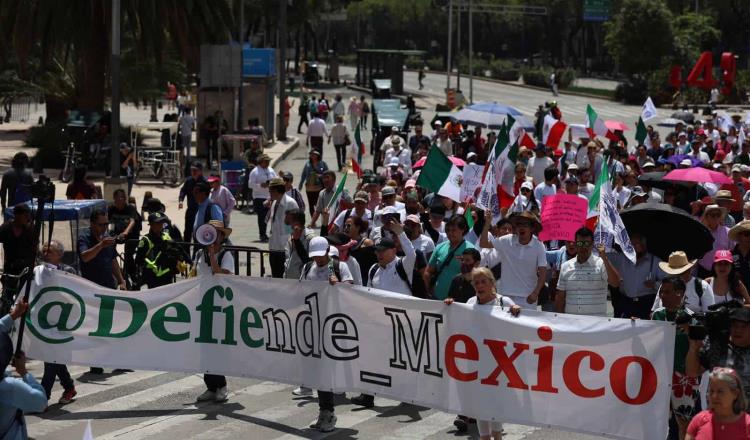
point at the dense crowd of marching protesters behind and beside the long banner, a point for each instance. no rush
(392, 234)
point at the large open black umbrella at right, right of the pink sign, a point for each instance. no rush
(668, 229)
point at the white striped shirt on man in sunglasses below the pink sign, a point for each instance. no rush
(585, 286)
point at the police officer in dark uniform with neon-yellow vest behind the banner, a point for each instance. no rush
(155, 258)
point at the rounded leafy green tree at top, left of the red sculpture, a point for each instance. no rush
(640, 36)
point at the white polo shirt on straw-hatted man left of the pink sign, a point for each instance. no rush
(520, 263)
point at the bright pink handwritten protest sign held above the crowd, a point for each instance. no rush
(562, 216)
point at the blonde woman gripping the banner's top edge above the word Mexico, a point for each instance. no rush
(483, 282)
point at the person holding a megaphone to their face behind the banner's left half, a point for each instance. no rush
(213, 259)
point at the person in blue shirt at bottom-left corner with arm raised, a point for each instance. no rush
(16, 395)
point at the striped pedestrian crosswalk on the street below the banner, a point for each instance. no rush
(147, 405)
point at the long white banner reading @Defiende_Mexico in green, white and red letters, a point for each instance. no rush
(578, 373)
